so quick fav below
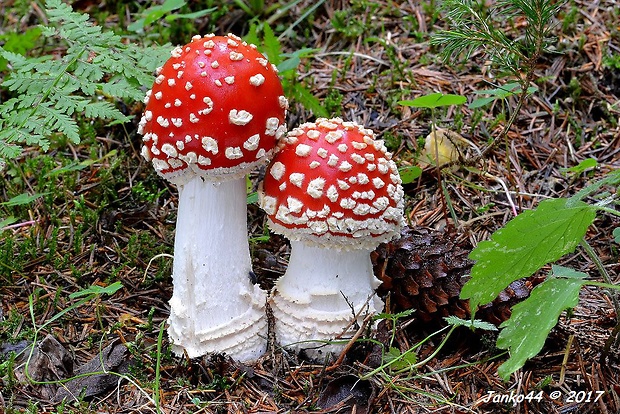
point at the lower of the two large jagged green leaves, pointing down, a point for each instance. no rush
(524, 334)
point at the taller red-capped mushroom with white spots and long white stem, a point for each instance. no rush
(215, 111)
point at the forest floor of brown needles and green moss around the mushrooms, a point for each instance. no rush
(113, 221)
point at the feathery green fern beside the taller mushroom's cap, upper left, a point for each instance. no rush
(51, 92)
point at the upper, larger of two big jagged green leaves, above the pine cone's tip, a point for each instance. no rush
(528, 242)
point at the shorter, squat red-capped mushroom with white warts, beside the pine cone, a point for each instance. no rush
(334, 191)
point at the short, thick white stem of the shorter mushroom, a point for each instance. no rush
(321, 296)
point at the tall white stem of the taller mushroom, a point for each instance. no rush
(214, 306)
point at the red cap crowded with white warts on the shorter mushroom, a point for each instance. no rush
(333, 184)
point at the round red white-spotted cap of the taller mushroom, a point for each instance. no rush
(216, 109)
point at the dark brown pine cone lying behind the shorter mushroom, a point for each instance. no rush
(425, 270)
